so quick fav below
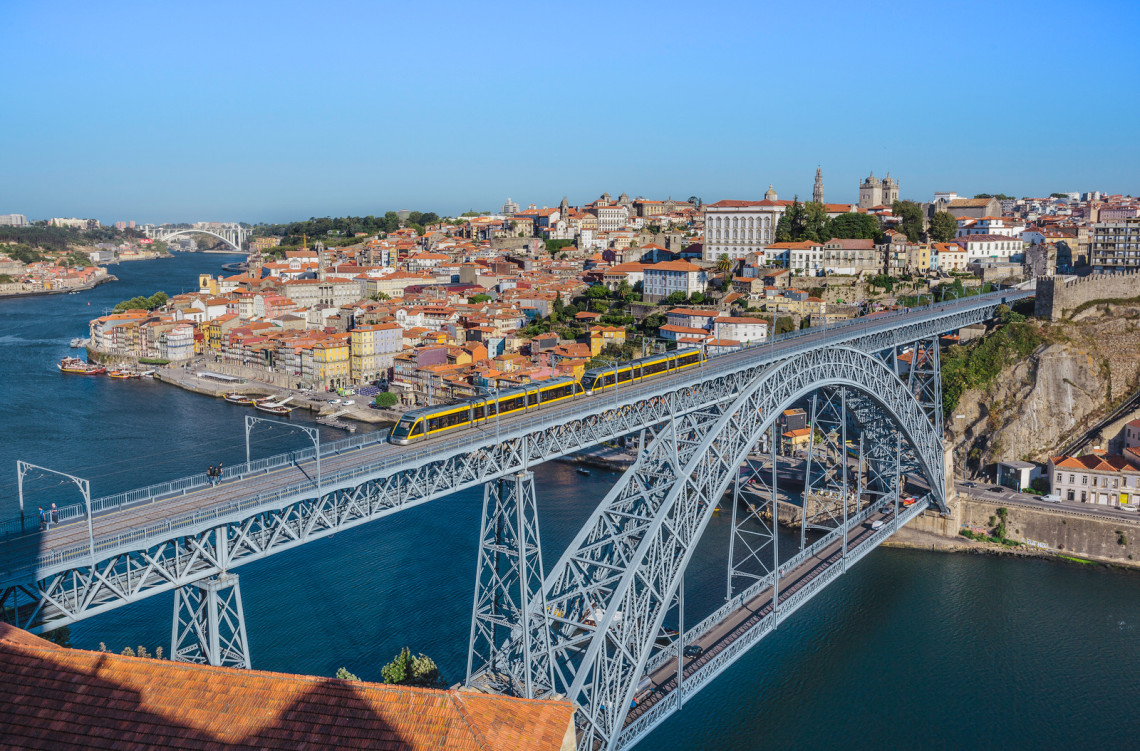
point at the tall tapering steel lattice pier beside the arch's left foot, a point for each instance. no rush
(509, 593)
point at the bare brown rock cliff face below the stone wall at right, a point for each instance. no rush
(1040, 404)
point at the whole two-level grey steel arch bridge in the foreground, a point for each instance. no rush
(605, 625)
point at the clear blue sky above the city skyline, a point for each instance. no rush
(274, 112)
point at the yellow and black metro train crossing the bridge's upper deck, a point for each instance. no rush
(429, 422)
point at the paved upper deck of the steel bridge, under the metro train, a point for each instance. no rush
(19, 550)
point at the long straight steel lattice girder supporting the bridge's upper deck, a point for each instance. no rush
(58, 587)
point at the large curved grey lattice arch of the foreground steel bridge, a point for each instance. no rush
(605, 672)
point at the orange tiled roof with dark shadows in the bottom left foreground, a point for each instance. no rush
(55, 698)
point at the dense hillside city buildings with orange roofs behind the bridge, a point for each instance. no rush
(449, 312)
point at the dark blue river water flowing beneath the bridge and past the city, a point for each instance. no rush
(909, 649)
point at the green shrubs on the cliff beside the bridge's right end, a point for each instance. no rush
(979, 364)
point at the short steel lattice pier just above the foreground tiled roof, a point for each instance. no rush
(209, 624)
